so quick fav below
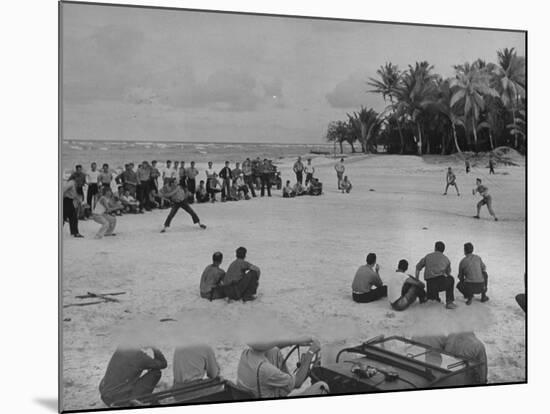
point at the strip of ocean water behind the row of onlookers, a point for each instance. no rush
(116, 154)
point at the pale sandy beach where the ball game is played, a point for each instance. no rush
(308, 250)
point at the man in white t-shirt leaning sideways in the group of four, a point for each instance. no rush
(403, 289)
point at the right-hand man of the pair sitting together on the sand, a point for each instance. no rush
(241, 278)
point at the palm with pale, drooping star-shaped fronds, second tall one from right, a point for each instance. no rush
(470, 86)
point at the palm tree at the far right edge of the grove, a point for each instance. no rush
(511, 83)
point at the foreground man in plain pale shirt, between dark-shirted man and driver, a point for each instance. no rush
(194, 362)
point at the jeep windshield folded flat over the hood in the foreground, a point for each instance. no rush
(421, 353)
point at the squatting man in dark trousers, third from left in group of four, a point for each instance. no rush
(437, 274)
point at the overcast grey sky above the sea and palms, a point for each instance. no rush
(172, 75)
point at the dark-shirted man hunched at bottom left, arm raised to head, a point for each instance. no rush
(123, 379)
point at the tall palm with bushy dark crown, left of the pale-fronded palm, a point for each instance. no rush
(414, 94)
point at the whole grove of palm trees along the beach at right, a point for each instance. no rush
(478, 109)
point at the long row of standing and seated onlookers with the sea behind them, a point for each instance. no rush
(101, 194)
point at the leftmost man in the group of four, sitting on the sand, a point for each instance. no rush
(367, 285)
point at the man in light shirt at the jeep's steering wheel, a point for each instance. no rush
(263, 373)
